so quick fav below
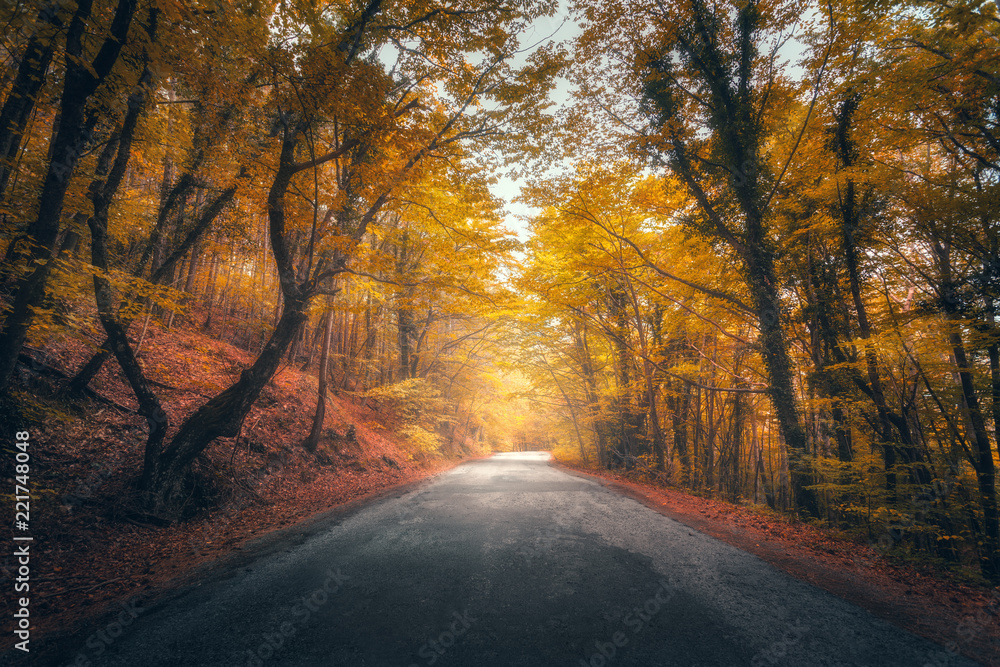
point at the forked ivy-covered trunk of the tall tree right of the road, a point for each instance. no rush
(727, 68)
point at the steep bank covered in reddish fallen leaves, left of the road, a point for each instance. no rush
(93, 551)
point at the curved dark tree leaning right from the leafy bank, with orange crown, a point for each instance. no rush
(330, 82)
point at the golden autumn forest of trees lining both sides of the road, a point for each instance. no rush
(760, 262)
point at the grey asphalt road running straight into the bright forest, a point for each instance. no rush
(505, 561)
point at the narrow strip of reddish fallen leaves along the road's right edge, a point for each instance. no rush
(962, 617)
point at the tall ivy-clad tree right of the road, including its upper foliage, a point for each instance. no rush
(709, 93)
